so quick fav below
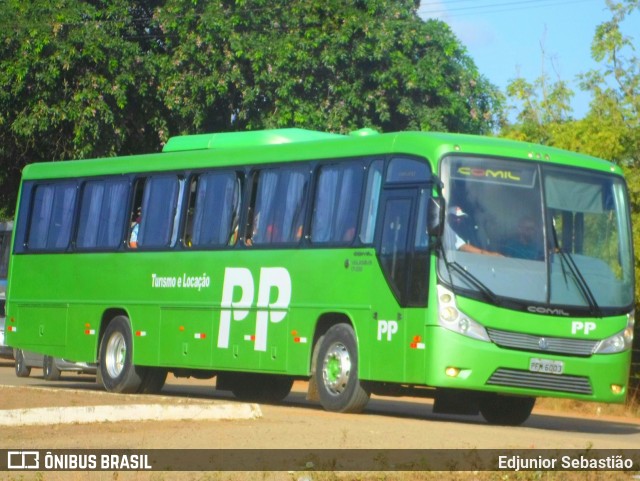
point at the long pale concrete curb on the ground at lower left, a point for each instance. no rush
(128, 412)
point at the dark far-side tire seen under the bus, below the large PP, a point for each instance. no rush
(260, 387)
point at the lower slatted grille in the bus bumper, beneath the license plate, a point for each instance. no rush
(536, 380)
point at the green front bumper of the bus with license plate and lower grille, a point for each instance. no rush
(459, 362)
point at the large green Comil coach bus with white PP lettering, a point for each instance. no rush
(477, 271)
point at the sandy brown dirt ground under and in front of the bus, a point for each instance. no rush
(298, 424)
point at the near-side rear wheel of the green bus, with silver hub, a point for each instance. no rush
(116, 366)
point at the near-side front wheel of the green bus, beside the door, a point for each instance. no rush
(336, 371)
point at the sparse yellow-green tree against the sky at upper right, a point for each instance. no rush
(611, 128)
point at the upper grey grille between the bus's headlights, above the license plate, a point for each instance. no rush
(528, 342)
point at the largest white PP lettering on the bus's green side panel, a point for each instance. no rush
(271, 279)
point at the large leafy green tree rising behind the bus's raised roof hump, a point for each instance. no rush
(328, 65)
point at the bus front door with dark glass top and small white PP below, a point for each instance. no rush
(403, 257)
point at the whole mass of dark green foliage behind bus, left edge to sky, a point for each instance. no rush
(85, 78)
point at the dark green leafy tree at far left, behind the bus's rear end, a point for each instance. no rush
(73, 84)
